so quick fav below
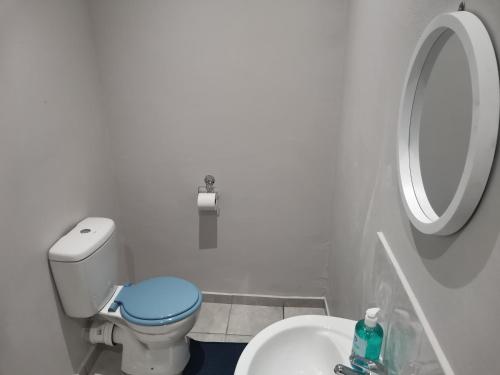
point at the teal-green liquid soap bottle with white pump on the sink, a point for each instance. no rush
(368, 336)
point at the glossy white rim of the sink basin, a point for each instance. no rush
(343, 327)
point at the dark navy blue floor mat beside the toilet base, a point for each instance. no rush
(213, 358)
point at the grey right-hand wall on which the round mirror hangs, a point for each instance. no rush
(456, 278)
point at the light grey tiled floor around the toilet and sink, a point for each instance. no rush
(219, 322)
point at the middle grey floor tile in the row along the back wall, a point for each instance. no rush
(248, 320)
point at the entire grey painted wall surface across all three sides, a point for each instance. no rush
(251, 92)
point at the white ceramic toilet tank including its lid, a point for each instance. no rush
(84, 265)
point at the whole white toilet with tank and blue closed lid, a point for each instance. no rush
(150, 319)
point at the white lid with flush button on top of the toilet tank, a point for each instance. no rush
(83, 240)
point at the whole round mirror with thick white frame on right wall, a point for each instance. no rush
(448, 123)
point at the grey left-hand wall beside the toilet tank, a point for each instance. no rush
(53, 168)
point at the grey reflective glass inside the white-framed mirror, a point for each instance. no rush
(445, 122)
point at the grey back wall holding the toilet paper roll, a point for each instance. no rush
(246, 90)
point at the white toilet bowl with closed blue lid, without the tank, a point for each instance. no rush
(150, 320)
